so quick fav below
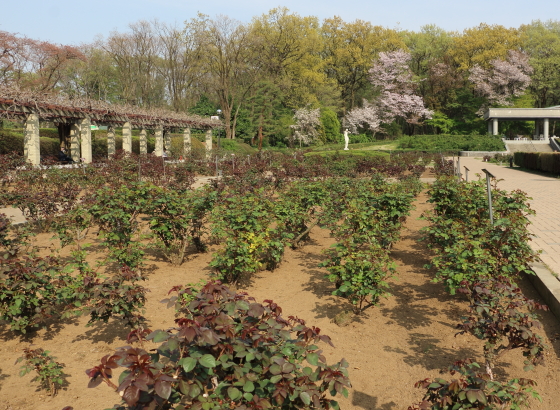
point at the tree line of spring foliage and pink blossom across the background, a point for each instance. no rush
(272, 77)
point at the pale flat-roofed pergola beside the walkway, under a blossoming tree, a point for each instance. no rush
(541, 116)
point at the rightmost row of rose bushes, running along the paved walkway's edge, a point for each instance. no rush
(482, 261)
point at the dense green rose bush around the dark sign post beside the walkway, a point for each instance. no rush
(466, 246)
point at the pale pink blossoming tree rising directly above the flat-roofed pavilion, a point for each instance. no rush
(505, 79)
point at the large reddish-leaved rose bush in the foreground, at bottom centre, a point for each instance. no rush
(227, 351)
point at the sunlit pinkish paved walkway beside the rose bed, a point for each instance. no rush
(545, 194)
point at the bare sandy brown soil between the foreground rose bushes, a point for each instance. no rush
(409, 336)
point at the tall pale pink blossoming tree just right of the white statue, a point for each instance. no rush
(393, 78)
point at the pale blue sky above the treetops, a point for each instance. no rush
(74, 22)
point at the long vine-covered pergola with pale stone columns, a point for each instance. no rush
(78, 120)
